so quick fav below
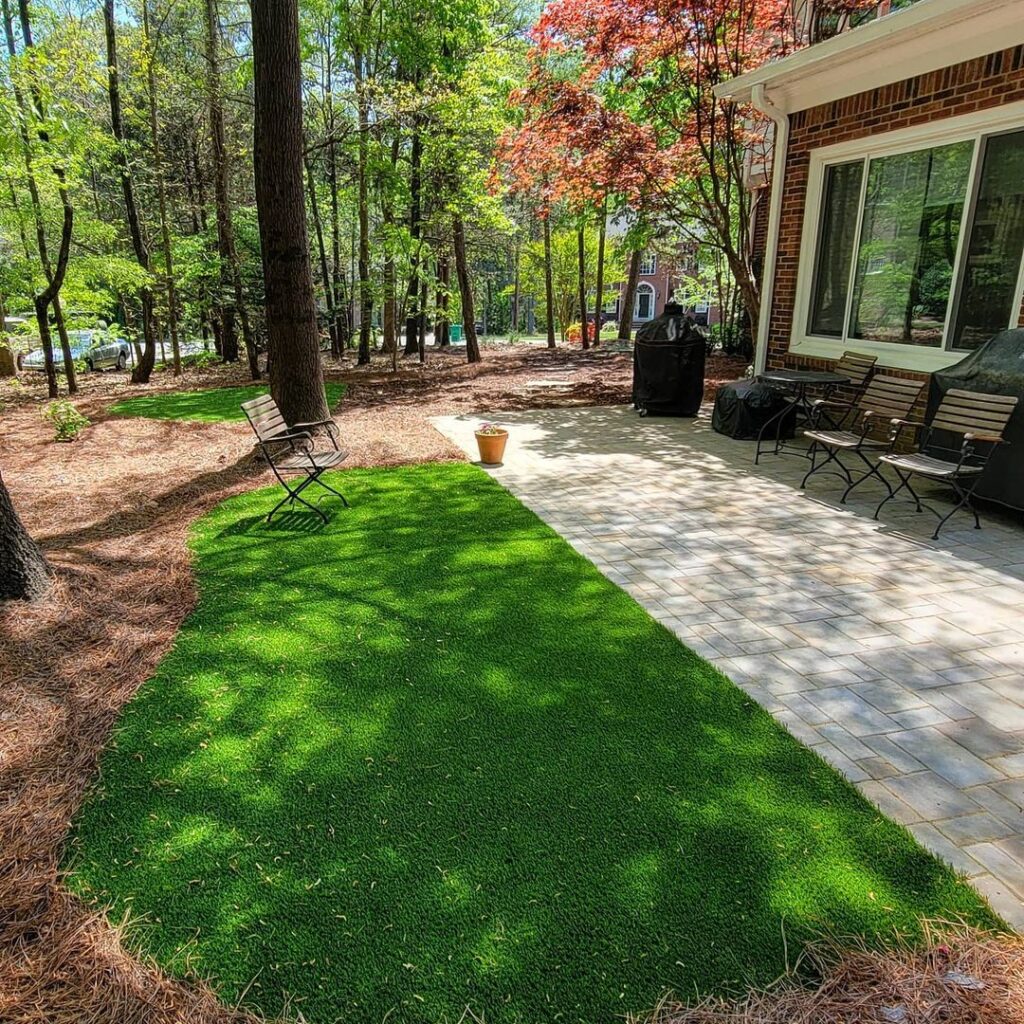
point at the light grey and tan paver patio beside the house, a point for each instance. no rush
(900, 660)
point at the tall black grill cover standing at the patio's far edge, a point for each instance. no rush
(668, 366)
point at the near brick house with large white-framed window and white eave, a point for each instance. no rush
(893, 223)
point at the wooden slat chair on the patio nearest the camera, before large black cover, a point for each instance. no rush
(979, 420)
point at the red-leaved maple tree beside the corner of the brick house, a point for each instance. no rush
(620, 102)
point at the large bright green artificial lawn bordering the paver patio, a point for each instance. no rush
(428, 757)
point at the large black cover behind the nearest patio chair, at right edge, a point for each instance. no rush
(996, 368)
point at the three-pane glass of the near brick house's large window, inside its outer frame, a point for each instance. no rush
(890, 264)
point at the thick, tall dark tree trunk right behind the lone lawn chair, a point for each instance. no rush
(293, 345)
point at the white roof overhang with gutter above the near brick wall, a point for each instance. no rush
(930, 35)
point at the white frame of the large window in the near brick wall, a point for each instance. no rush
(969, 127)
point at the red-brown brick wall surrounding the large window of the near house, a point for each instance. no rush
(974, 86)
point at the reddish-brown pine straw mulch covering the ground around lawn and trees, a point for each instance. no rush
(113, 513)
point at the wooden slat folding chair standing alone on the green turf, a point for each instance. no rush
(291, 450)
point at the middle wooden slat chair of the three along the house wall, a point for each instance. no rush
(885, 402)
